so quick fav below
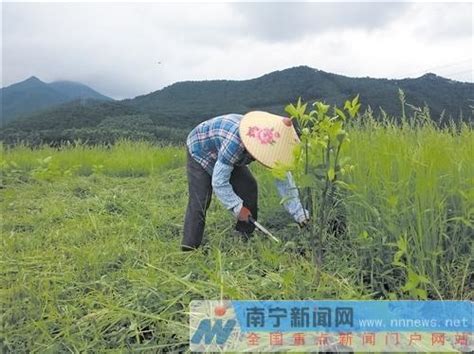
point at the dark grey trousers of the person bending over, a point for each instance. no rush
(200, 193)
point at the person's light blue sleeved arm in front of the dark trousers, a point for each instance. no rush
(223, 189)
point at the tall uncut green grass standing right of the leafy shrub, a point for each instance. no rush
(412, 205)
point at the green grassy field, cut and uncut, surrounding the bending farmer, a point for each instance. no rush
(90, 256)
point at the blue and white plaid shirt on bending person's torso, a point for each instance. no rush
(218, 139)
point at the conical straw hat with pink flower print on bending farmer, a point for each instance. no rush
(269, 138)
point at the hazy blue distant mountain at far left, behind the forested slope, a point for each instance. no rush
(33, 94)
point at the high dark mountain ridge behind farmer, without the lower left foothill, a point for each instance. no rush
(191, 101)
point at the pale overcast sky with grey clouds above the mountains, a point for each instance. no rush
(128, 49)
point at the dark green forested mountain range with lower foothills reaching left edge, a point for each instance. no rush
(174, 110)
